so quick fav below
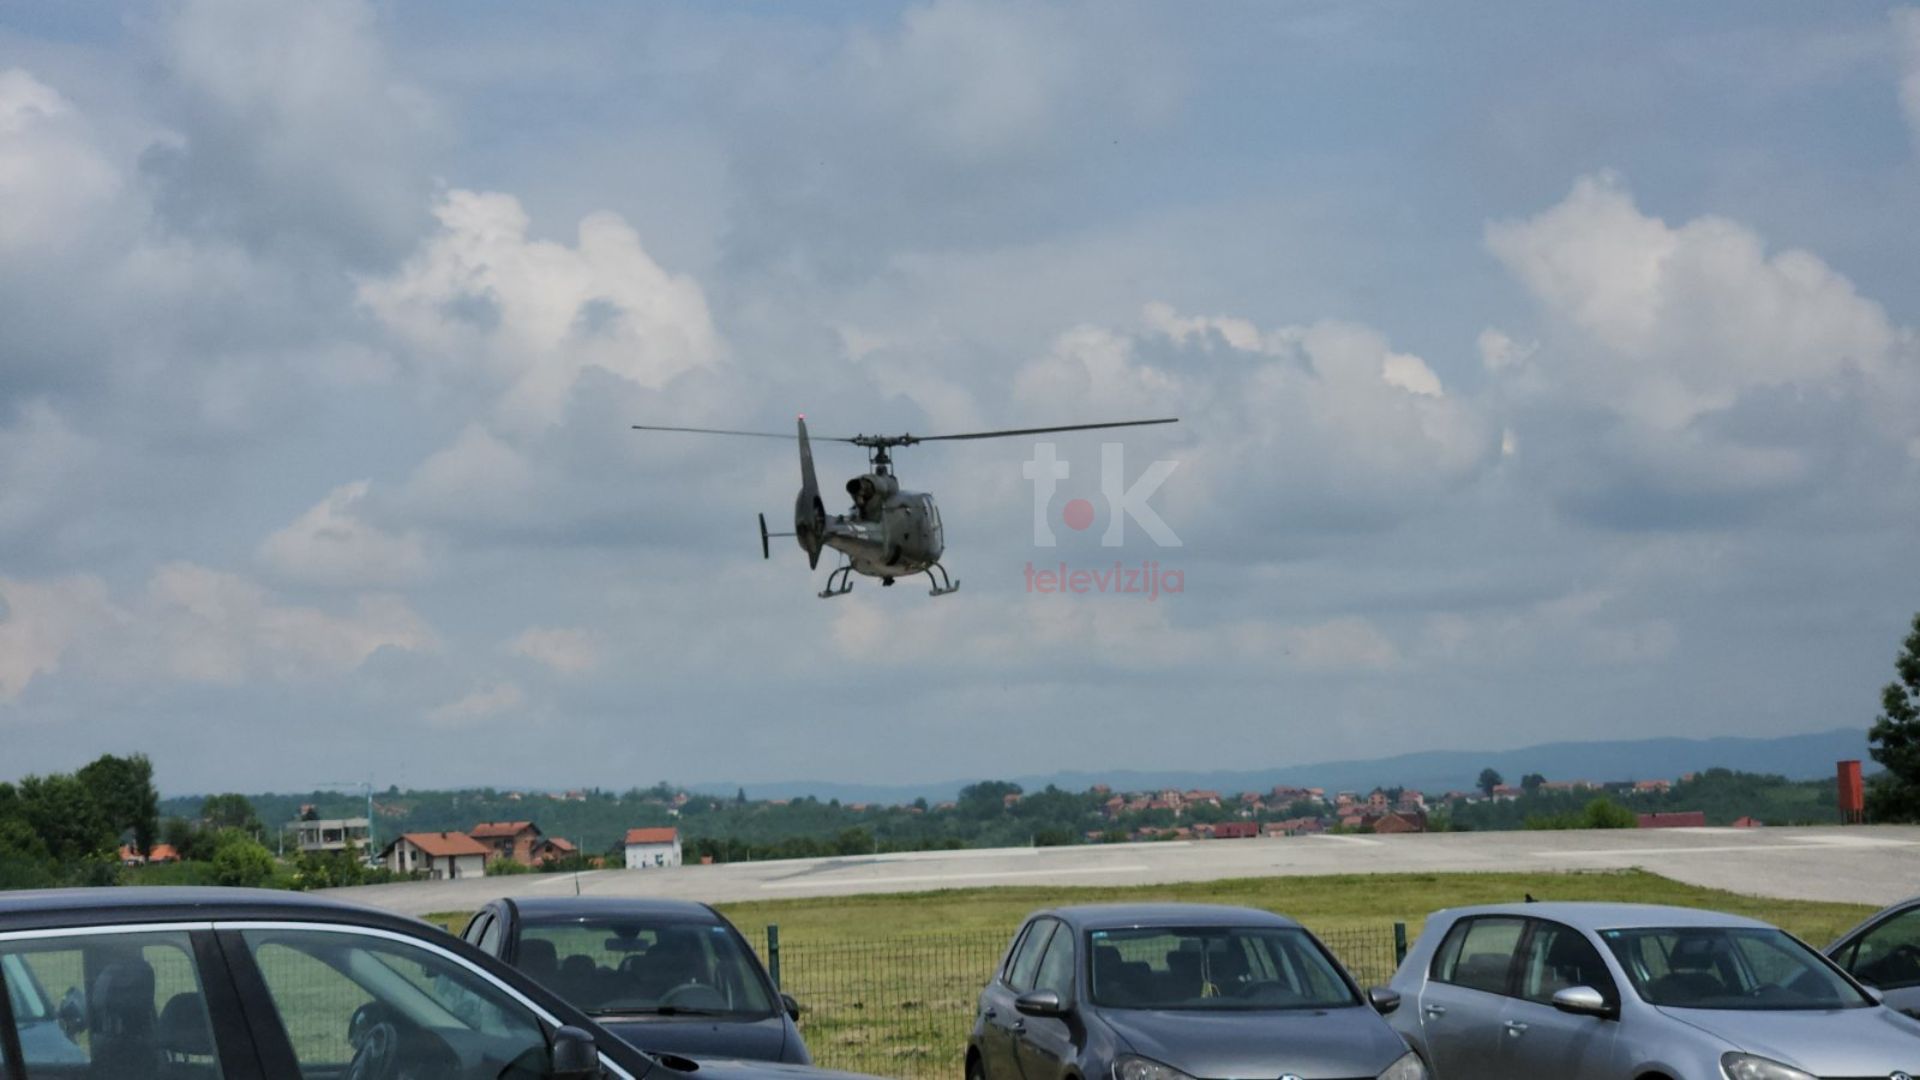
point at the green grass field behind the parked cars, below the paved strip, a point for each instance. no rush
(890, 981)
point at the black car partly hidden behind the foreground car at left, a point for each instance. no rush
(665, 975)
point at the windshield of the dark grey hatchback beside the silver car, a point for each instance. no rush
(1214, 970)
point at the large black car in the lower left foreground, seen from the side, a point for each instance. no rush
(249, 985)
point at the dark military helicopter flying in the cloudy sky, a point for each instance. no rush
(888, 533)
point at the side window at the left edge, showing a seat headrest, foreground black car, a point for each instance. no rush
(110, 1006)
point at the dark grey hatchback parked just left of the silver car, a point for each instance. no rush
(1170, 993)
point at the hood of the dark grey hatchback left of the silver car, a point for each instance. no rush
(1308, 1043)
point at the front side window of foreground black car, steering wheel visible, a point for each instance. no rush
(366, 1006)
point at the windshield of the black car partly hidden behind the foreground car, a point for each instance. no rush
(646, 968)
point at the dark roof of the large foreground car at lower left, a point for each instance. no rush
(37, 910)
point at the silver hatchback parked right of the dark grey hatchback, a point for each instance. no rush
(1633, 993)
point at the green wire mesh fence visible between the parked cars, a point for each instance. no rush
(905, 1006)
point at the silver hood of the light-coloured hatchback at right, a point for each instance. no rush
(1827, 1043)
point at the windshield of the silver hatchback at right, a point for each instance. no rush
(1729, 968)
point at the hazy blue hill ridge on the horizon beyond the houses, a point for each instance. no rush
(1796, 758)
